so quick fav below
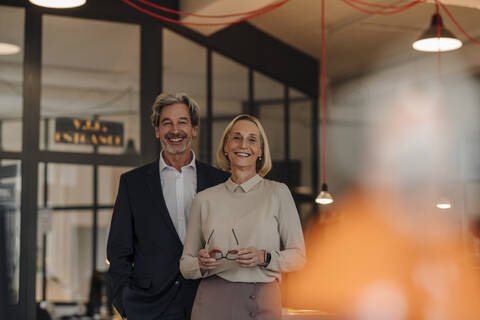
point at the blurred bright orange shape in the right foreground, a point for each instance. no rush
(383, 260)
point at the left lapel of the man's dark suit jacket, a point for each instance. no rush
(155, 187)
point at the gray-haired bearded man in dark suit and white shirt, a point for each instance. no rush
(150, 217)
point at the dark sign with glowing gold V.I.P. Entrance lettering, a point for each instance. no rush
(90, 132)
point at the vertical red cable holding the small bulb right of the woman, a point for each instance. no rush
(323, 97)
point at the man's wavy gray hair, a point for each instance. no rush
(167, 99)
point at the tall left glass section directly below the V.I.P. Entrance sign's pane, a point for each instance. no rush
(65, 226)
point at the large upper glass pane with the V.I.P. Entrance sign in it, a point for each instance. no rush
(90, 86)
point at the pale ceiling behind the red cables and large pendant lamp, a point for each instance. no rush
(356, 43)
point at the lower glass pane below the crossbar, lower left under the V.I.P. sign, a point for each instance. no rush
(64, 255)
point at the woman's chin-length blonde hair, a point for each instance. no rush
(264, 165)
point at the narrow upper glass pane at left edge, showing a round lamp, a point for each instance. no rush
(12, 22)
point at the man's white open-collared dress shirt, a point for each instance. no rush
(179, 189)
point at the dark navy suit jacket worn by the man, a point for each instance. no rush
(143, 248)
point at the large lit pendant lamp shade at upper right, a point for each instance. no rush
(429, 41)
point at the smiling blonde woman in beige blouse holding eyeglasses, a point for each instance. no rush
(242, 234)
